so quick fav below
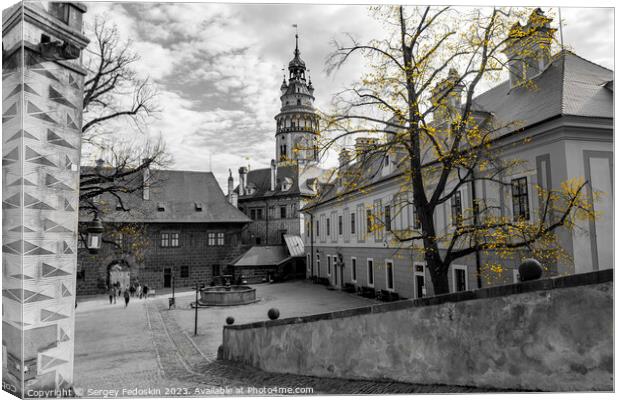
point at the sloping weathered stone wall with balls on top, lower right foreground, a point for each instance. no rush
(552, 334)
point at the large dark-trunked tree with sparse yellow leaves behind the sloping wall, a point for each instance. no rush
(419, 97)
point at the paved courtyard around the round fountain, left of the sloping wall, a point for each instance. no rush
(148, 350)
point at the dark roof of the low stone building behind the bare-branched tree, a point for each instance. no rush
(178, 192)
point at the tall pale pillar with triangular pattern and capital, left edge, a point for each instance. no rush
(42, 85)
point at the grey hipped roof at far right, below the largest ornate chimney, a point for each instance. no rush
(570, 85)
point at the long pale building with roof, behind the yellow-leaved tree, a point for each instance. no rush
(565, 132)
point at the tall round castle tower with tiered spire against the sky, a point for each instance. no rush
(297, 123)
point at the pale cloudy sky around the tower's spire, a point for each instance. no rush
(218, 68)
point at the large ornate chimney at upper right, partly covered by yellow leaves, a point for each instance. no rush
(528, 47)
